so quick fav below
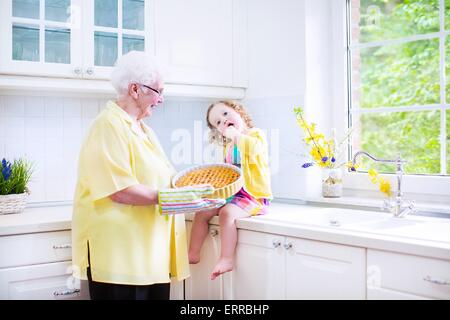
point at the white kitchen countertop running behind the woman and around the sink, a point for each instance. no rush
(46, 219)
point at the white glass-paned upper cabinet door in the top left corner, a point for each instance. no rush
(40, 37)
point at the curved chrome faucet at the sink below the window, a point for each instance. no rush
(397, 206)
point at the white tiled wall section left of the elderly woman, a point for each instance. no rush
(48, 131)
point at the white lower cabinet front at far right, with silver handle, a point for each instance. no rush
(402, 276)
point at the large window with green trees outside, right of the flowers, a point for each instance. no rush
(399, 82)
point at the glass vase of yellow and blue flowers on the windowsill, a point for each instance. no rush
(324, 153)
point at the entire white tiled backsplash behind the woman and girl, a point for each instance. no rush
(49, 131)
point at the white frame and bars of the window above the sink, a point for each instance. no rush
(431, 187)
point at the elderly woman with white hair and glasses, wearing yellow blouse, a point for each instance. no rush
(127, 241)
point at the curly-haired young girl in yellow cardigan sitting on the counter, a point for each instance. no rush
(246, 147)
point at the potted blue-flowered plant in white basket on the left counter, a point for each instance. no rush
(14, 178)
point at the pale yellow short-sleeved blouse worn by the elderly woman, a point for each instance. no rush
(127, 244)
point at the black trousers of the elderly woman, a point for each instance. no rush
(113, 291)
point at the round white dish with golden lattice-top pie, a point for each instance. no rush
(225, 178)
